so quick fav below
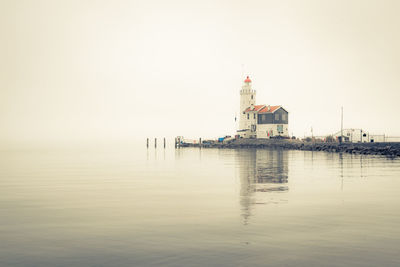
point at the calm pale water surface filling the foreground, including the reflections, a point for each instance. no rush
(198, 207)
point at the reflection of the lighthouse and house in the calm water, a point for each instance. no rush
(263, 174)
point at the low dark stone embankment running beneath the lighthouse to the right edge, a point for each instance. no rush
(387, 149)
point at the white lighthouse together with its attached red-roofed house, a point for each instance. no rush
(260, 121)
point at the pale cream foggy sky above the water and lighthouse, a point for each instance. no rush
(124, 70)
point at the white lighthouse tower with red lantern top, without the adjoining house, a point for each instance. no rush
(247, 99)
